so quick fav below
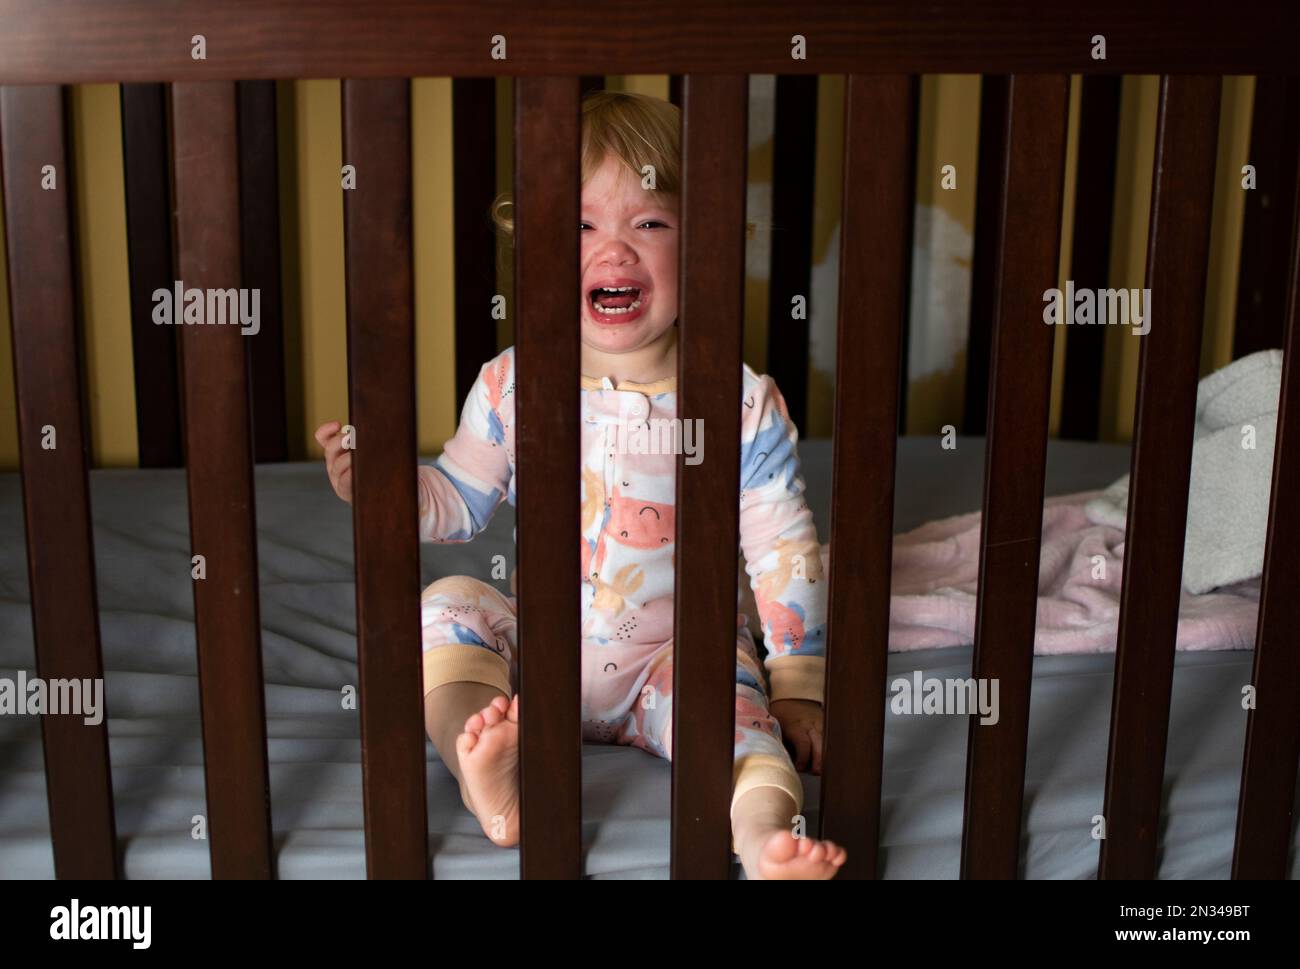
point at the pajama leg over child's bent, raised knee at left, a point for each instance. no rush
(469, 634)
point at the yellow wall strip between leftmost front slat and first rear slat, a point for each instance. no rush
(103, 289)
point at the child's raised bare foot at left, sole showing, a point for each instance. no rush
(488, 752)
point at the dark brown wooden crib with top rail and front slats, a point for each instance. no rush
(1028, 49)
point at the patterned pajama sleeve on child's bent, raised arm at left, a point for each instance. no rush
(462, 490)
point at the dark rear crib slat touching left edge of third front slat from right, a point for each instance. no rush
(990, 204)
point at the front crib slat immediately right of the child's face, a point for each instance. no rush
(714, 140)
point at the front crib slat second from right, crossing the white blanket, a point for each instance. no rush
(1177, 258)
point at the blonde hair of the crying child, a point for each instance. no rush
(635, 129)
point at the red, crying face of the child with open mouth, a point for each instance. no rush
(629, 240)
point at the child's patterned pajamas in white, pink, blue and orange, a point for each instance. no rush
(630, 447)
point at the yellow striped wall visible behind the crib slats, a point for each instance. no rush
(313, 220)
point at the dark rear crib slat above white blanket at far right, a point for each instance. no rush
(1262, 289)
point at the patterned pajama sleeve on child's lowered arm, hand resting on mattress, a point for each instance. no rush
(783, 556)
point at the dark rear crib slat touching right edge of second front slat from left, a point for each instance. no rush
(259, 250)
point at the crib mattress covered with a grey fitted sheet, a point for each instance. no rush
(310, 652)
